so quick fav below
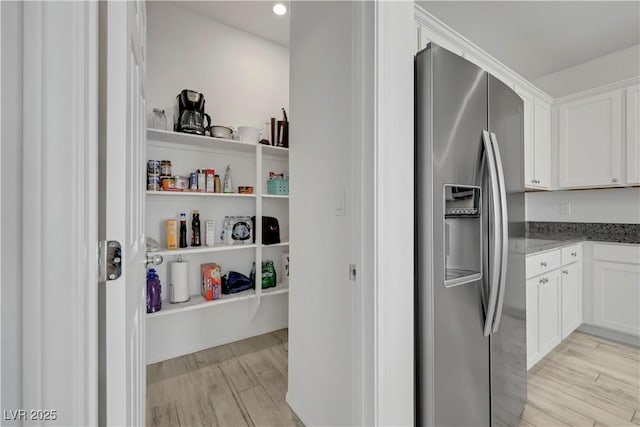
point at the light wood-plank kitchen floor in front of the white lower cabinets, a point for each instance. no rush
(585, 381)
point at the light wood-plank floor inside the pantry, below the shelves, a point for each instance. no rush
(238, 384)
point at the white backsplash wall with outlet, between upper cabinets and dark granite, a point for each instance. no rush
(613, 205)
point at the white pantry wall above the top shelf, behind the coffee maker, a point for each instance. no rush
(245, 79)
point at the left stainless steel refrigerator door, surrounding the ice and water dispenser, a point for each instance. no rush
(453, 381)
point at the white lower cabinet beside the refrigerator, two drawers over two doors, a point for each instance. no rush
(554, 299)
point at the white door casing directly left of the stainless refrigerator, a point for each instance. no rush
(394, 37)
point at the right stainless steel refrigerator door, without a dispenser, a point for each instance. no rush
(508, 343)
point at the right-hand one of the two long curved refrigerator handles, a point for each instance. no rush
(504, 225)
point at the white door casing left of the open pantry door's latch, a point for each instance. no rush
(59, 235)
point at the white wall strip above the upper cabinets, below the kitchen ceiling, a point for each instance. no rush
(611, 68)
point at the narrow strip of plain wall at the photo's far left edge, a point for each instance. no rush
(11, 224)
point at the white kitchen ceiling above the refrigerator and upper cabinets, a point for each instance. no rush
(536, 38)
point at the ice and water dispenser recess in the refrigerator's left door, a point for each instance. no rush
(462, 234)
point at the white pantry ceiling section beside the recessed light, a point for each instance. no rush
(254, 17)
